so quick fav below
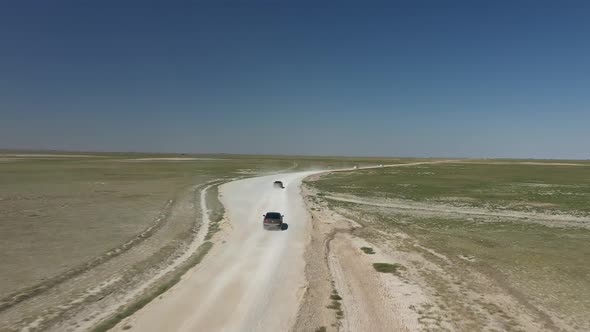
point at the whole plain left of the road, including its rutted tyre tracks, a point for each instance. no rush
(84, 232)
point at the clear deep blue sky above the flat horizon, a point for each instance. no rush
(410, 78)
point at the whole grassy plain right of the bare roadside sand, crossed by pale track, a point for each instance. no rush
(493, 244)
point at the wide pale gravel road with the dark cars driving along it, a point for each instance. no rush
(252, 281)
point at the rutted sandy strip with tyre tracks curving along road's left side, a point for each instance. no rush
(77, 298)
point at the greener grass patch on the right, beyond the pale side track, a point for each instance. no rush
(543, 188)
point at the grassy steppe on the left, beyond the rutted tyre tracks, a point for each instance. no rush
(59, 210)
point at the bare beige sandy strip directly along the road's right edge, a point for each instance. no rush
(335, 265)
